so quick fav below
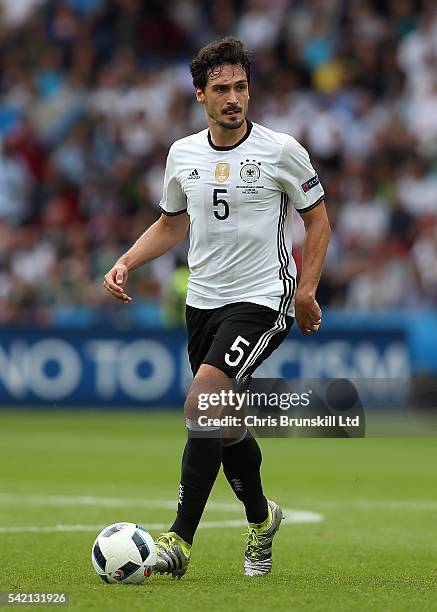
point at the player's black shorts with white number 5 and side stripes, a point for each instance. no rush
(235, 338)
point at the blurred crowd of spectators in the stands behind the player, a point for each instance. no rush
(93, 93)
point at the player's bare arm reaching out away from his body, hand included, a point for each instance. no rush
(161, 237)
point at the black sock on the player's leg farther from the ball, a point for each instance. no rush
(241, 465)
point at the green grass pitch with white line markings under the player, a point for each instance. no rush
(375, 549)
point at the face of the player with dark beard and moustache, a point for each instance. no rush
(226, 96)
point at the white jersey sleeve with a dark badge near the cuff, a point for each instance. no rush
(298, 178)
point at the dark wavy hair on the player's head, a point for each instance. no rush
(229, 50)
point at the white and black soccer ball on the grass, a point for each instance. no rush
(124, 553)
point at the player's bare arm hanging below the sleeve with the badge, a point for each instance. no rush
(317, 234)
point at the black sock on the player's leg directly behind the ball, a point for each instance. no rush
(200, 465)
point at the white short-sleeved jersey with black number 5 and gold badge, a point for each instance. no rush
(238, 199)
